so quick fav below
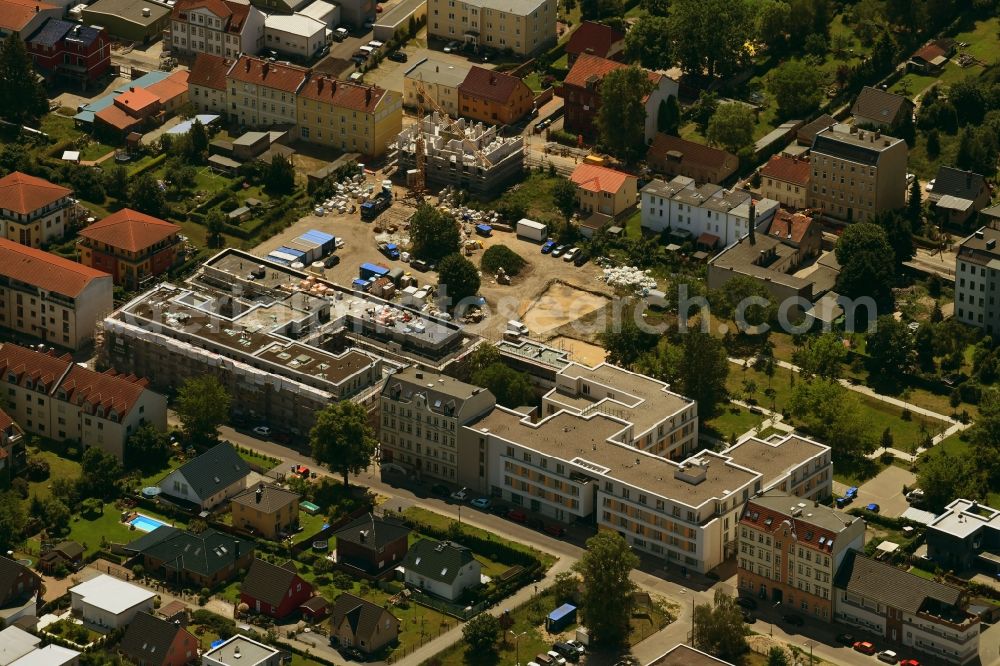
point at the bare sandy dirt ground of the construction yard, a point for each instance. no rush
(550, 294)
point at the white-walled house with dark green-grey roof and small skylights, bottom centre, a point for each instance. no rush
(442, 568)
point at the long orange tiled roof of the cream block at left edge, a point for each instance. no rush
(45, 270)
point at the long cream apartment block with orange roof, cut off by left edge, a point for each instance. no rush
(47, 297)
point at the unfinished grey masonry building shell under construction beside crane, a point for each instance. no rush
(472, 157)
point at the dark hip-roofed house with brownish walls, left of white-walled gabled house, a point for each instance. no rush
(372, 544)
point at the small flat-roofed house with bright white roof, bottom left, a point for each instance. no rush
(106, 603)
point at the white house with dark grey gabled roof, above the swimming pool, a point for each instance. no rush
(209, 479)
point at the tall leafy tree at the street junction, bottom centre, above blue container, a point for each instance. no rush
(607, 589)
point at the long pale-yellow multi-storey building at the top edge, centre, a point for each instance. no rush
(522, 26)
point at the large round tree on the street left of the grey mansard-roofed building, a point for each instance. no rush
(342, 438)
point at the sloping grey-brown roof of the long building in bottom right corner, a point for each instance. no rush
(890, 585)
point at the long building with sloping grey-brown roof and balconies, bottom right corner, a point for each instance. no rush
(908, 611)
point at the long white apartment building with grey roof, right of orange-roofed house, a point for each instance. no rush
(709, 214)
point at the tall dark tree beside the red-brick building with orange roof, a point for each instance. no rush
(621, 116)
